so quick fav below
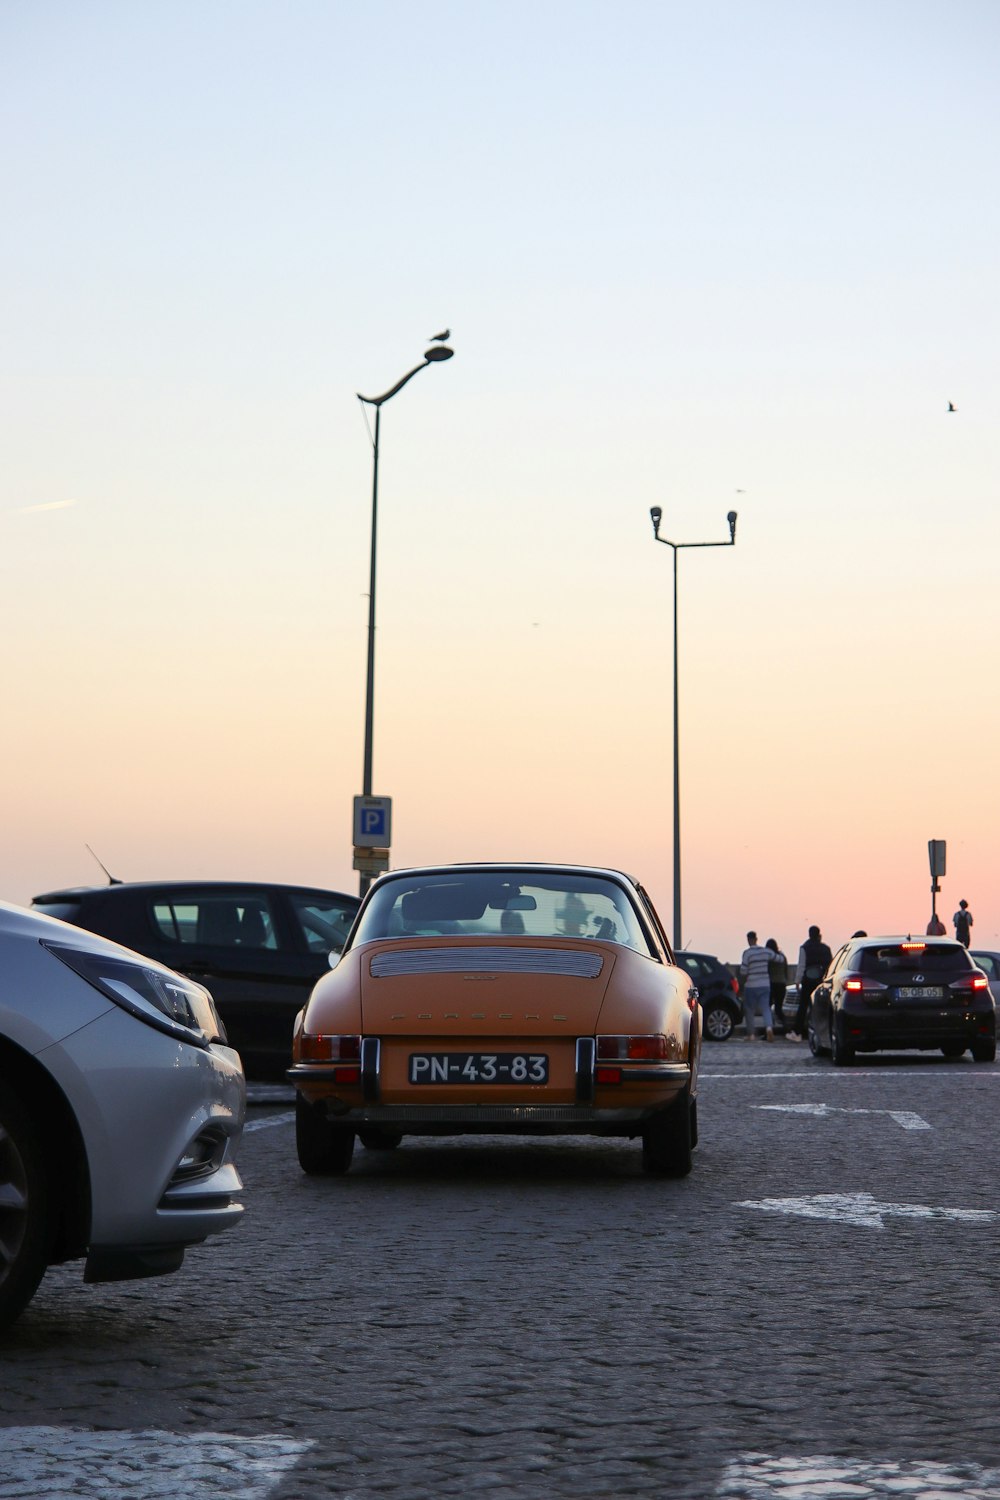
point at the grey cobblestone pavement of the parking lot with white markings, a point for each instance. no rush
(531, 1319)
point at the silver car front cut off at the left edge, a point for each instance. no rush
(121, 1111)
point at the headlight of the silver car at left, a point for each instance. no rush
(164, 1000)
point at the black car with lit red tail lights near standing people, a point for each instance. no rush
(888, 994)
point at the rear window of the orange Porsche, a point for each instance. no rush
(509, 904)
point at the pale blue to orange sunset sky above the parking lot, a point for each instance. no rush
(734, 256)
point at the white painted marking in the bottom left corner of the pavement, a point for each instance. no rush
(143, 1466)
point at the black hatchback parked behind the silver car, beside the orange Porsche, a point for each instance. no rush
(259, 949)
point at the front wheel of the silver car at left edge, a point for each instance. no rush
(26, 1213)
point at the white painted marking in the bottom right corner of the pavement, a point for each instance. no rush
(759, 1477)
